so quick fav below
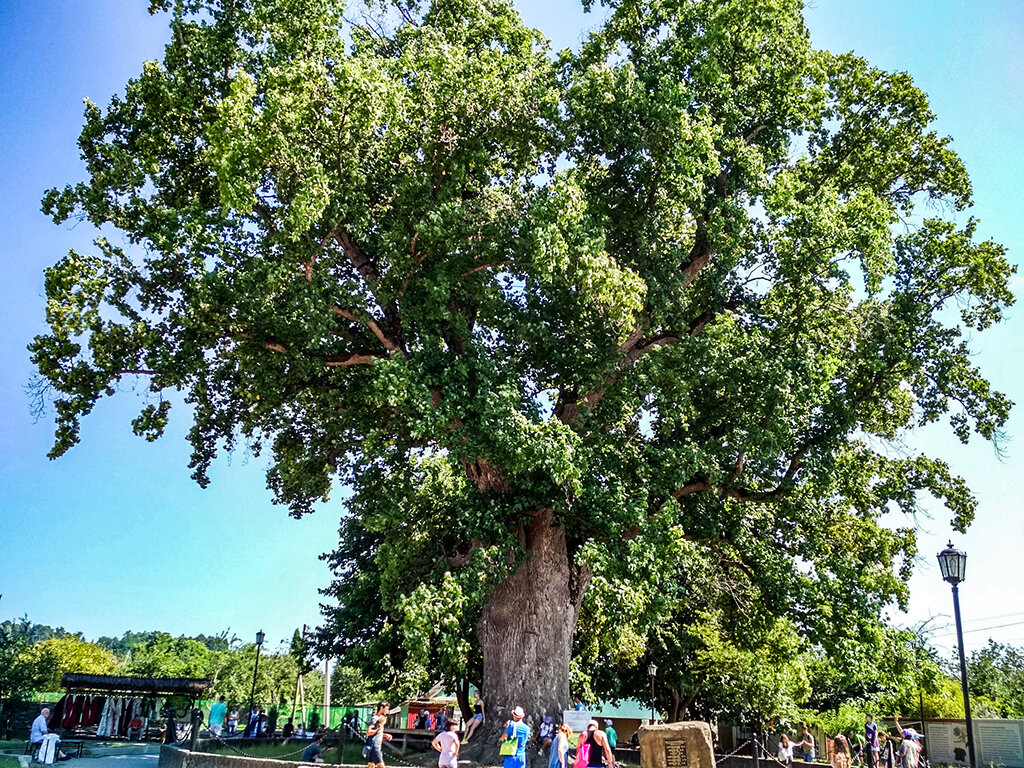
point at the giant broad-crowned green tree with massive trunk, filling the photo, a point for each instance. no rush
(535, 310)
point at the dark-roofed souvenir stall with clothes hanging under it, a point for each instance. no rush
(119, 708)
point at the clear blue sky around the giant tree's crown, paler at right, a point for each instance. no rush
(116, 537)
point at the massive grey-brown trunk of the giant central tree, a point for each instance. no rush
(527, 628)
